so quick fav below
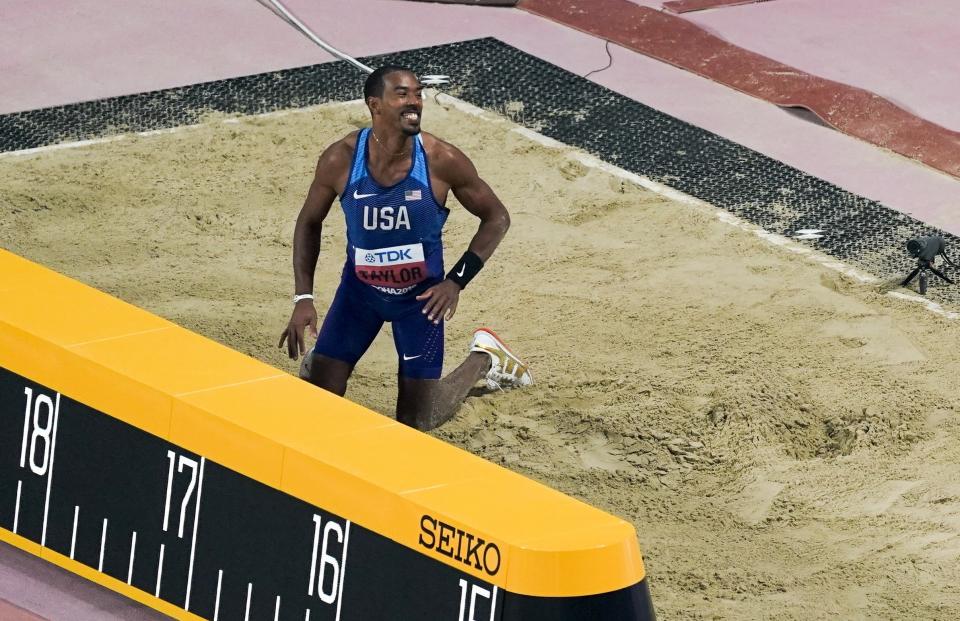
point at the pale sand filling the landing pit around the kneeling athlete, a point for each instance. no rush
(784, 439)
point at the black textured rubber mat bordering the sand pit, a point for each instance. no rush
(556, 103)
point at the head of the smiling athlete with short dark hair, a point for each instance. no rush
(394, 96)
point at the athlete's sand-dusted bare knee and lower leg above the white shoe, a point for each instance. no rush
(428, 403)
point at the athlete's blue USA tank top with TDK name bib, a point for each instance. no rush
(393, 233)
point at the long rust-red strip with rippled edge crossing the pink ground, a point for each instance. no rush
(683, 44)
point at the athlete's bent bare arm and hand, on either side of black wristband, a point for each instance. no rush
(452, 170)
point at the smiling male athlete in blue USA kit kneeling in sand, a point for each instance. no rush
(393, 183)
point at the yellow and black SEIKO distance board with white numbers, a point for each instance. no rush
(209, 485)
